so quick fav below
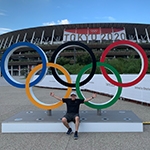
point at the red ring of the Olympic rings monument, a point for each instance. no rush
(143, 57)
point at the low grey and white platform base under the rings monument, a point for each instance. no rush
(39, 121)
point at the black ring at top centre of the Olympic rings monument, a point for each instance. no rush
(70, 44)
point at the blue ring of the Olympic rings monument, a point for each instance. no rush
(9, 52)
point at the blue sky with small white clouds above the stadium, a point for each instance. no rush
(21, 14)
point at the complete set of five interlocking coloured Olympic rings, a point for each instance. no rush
(45, 64)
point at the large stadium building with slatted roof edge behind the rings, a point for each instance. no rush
(96, 35)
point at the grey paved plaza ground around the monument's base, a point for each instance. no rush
(14, 100)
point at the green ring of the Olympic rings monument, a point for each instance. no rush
(112, 100)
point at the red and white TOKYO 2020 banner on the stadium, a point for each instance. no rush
(94, 34)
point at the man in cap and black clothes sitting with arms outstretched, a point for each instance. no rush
(73, 104)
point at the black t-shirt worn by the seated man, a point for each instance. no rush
(73, 105)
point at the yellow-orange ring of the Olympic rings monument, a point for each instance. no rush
(32, 97)
